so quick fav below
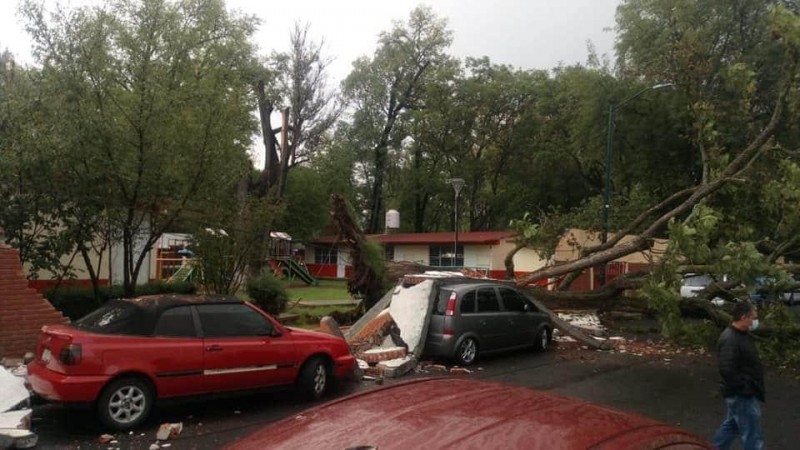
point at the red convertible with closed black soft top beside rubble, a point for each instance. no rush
(128, 353)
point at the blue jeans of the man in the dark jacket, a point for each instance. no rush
(743, 418)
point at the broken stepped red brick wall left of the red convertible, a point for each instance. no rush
(23, 311)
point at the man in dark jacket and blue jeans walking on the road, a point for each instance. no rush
(742, 383)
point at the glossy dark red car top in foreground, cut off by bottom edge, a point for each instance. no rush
(447, 413)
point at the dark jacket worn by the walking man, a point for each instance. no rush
(739, 365)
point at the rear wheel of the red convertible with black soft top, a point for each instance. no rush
(125, 403)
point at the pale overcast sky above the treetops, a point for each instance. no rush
(529, 34)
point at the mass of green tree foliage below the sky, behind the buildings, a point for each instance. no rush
(141, 114)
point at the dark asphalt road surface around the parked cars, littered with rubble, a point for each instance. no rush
(677, 389)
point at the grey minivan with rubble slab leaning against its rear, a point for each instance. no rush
(472, 318)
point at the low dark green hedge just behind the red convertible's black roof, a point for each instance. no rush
(77, 302)
